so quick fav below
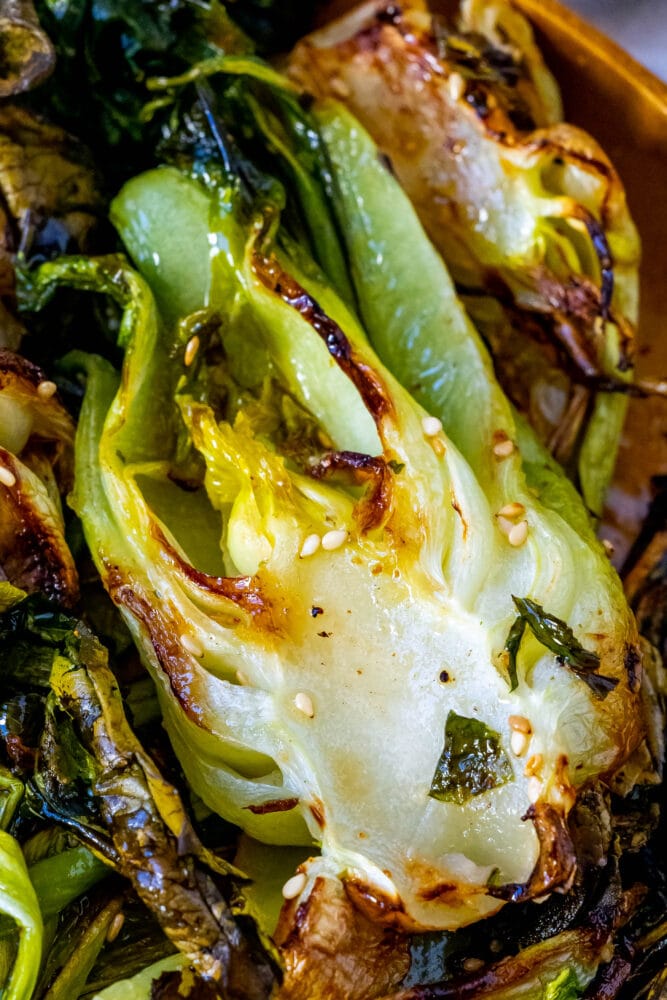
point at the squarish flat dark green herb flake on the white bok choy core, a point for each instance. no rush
(471, 762)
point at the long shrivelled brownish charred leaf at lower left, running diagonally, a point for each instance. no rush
(93, 775)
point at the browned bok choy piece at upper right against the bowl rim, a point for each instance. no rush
(518, 203)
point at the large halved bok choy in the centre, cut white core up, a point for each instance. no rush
(320, 572)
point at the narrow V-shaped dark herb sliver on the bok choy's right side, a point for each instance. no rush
(560, 640)
